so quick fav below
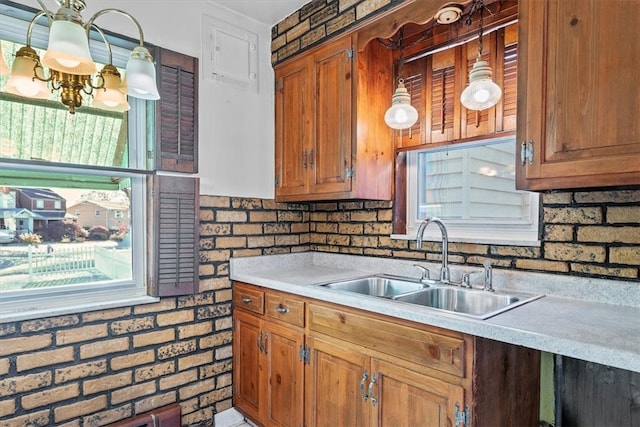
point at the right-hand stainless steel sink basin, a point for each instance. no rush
(470, 302)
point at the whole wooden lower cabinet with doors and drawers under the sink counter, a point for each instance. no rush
(336, 366)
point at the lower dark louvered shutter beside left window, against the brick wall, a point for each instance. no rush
(175, 235)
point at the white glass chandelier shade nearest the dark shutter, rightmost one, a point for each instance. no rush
(141, 75)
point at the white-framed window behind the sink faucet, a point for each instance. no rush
(471, 187)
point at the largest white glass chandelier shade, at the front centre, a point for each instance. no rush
(68, 49)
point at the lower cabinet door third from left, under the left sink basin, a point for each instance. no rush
(337, 382)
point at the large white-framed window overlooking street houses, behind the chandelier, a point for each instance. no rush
(94, 155)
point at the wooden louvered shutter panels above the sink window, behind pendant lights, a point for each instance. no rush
(436, 81)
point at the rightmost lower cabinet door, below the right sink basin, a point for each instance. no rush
(404, 398)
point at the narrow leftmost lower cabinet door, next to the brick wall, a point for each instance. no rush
(247, 364)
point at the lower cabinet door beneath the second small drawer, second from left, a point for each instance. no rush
(285, 376)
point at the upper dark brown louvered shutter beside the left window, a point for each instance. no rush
(177, 112)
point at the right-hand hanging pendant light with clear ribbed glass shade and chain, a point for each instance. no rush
(482, 92)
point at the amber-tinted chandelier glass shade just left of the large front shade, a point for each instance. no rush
(22, 81)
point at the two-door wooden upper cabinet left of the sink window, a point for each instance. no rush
(319, 154)
